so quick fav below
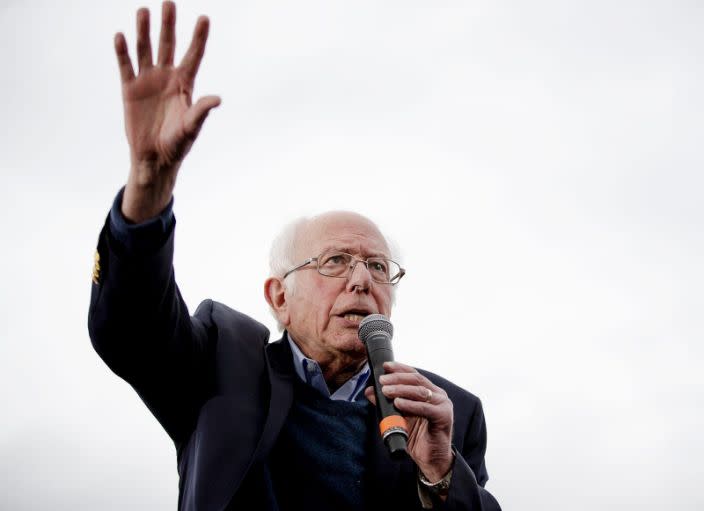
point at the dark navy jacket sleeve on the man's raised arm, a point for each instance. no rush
(140, 326)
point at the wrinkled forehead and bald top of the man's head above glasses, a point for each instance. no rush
(345, 231)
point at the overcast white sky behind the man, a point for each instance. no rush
(544, 171)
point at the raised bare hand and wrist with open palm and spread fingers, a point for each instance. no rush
(161, 122)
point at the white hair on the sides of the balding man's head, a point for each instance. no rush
(284, 249)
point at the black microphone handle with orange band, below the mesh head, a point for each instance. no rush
(392, 425)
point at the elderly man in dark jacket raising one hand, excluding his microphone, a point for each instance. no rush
(282, 425)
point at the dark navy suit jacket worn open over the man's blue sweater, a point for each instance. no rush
(222, 392)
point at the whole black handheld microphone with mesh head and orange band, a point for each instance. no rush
(376, 331)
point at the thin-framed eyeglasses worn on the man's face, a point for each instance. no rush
(341, 265)
